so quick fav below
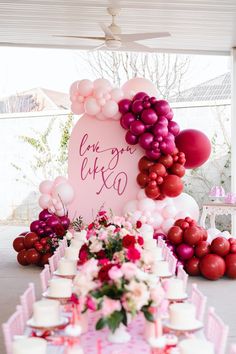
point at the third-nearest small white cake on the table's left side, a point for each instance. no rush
(60, 287)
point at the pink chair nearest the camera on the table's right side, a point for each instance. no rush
(216, 331)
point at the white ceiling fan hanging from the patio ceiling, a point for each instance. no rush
(114, 39)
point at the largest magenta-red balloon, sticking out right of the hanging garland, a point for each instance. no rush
(195, 145)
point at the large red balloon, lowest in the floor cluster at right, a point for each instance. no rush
(212, 266)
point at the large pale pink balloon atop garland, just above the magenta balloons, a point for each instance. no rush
(138, 84)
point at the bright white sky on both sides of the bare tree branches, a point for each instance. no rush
(25, 68)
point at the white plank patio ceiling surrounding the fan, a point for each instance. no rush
(195, 25)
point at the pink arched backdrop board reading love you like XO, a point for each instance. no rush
(102, 167)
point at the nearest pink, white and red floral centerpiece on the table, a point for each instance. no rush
(117, 291)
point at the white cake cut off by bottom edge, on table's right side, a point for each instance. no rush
(196, 346)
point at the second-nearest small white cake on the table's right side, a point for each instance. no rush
(182, 315)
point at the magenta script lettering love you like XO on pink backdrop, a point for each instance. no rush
(111, 175)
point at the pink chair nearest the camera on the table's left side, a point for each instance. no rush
(12, 328)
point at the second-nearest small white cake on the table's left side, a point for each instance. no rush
(46, 313)
